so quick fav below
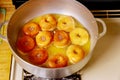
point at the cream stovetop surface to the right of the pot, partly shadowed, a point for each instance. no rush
(105, 62)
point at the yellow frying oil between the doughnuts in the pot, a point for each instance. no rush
(53, 50)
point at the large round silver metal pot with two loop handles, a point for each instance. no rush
(34, 8)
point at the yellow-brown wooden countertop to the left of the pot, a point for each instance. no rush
(6, 10)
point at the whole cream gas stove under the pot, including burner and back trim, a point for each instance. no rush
(104, 64)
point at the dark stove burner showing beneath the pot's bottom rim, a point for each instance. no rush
(29, 76)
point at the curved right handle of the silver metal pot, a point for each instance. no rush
(103, 27)
